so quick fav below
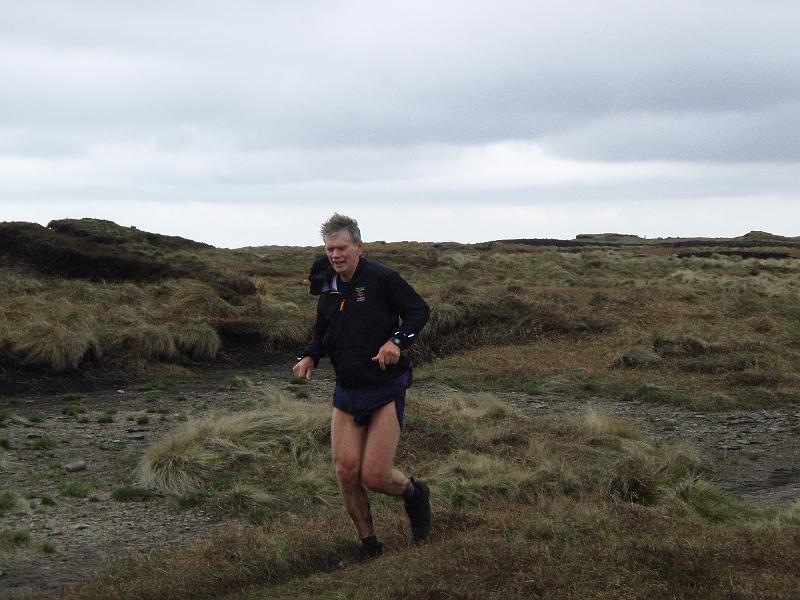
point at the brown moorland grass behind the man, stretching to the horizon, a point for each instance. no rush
(701, 322)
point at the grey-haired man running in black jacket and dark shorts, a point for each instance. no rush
(366, 316)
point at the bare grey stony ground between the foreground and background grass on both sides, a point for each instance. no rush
(754, 455)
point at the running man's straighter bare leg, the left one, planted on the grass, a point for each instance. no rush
(347, 443)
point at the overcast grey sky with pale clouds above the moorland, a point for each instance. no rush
(247, 123)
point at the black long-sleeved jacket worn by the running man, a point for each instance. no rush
(351, 328)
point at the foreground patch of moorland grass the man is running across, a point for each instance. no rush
(524, 508)
